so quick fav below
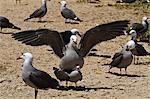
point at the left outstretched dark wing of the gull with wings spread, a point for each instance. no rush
(42, 37)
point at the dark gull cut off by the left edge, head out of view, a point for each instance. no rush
(4, 23)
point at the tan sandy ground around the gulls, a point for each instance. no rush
(98, 83)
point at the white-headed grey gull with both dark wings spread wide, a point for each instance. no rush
(72, 55)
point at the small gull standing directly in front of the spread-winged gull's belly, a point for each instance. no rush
(72, 76)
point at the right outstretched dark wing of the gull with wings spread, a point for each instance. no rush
(101, 33)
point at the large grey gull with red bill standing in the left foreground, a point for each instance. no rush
(35, 78)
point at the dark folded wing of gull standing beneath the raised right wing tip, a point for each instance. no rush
(116, 59)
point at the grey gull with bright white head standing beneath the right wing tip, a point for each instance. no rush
(124, 58)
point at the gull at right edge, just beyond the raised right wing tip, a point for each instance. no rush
(140, 28)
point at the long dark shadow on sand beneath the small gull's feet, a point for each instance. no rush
(81, 88)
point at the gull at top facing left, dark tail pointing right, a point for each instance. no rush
(67, 13)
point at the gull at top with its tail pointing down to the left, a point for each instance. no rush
(39, 13)
